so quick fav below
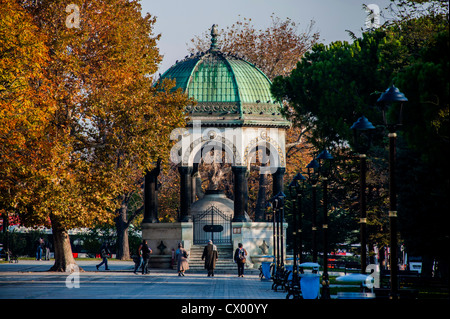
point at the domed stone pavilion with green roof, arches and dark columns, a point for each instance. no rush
(235, 113)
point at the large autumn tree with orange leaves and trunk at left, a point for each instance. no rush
(92, 123)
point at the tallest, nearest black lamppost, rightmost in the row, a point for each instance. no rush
(392, 119)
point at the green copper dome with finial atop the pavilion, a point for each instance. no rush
(229, 91)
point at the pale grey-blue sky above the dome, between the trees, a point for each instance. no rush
(178, 21)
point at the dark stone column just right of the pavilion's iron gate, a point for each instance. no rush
(240, 193)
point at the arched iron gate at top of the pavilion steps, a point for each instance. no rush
(212, 224)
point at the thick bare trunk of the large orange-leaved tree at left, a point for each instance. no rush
(64, 260)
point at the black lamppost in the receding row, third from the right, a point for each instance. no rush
(325, 159)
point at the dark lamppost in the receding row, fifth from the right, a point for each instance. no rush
(297, 184)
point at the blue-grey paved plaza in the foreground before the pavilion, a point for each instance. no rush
(30, 280)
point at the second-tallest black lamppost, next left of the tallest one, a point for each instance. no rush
(362, 139)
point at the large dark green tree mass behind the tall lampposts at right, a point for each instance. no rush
(333, 85)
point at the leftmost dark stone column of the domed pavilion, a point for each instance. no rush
(151, 195)
